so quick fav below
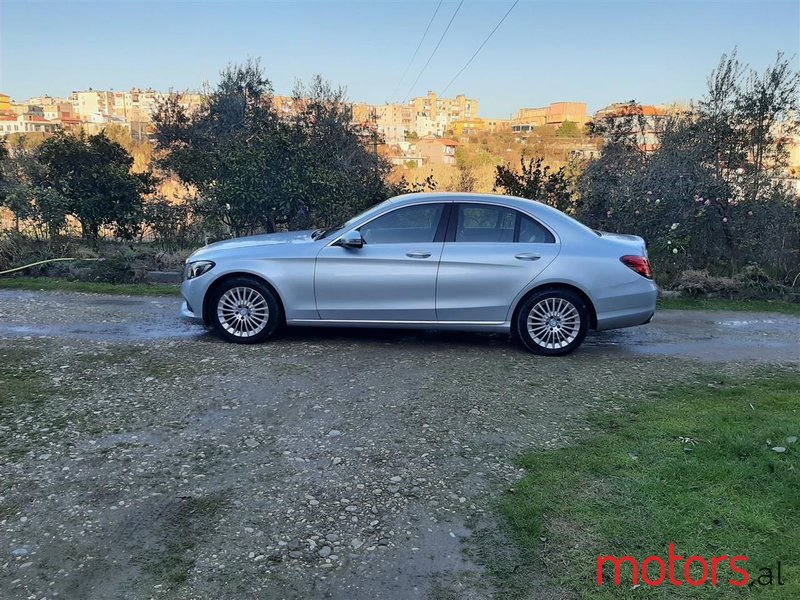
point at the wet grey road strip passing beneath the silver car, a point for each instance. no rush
(709, 335)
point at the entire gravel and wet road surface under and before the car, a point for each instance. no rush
(141, 457)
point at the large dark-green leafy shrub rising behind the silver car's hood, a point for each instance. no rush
(258, 169)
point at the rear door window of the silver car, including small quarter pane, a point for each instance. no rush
(477, 223)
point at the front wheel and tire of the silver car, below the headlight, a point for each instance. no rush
(244, 311)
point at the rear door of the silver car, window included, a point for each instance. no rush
(491, 253)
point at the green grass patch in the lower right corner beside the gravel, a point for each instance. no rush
(694, 466)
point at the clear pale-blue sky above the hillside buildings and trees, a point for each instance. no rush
(597, 52)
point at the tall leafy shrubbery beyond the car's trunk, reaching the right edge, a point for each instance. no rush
(710, 196)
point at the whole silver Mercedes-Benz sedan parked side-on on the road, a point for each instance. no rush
(475, 262)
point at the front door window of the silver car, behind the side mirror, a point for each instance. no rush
(409, 225)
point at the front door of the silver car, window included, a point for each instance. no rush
(392, 277)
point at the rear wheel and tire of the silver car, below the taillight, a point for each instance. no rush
(552, 322)
